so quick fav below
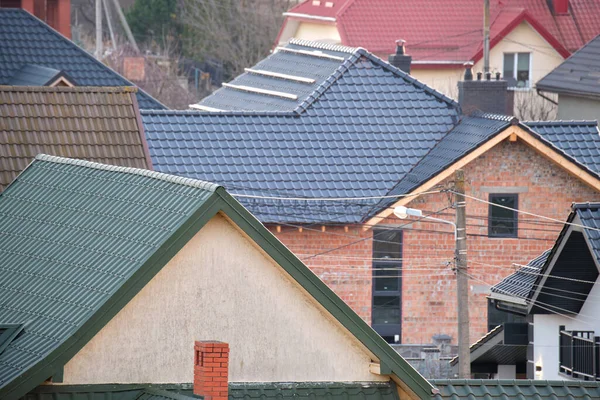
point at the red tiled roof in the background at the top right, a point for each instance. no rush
(443, 30)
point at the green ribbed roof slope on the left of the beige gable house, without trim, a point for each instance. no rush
(73, 232)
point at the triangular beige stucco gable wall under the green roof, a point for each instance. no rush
(220, 286)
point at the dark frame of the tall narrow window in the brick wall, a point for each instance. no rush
(387, 330)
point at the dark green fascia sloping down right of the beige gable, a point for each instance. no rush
(402, 372)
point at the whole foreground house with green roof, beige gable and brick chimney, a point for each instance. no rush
(164, 282)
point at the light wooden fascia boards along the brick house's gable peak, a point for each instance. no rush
(542, 147)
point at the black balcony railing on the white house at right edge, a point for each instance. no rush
(579, 354)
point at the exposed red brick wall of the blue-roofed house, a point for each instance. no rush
(428, 284)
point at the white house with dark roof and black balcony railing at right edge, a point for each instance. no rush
(556, 297)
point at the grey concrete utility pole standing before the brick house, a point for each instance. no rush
(462, 280)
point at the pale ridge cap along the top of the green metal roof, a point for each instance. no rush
(195, 183)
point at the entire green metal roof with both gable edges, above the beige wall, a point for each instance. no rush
(78, 240)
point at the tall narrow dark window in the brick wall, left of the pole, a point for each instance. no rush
(387, 284)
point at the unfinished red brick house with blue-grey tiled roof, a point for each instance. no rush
(322, 142)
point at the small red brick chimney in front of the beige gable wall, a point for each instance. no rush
(211, 366)
